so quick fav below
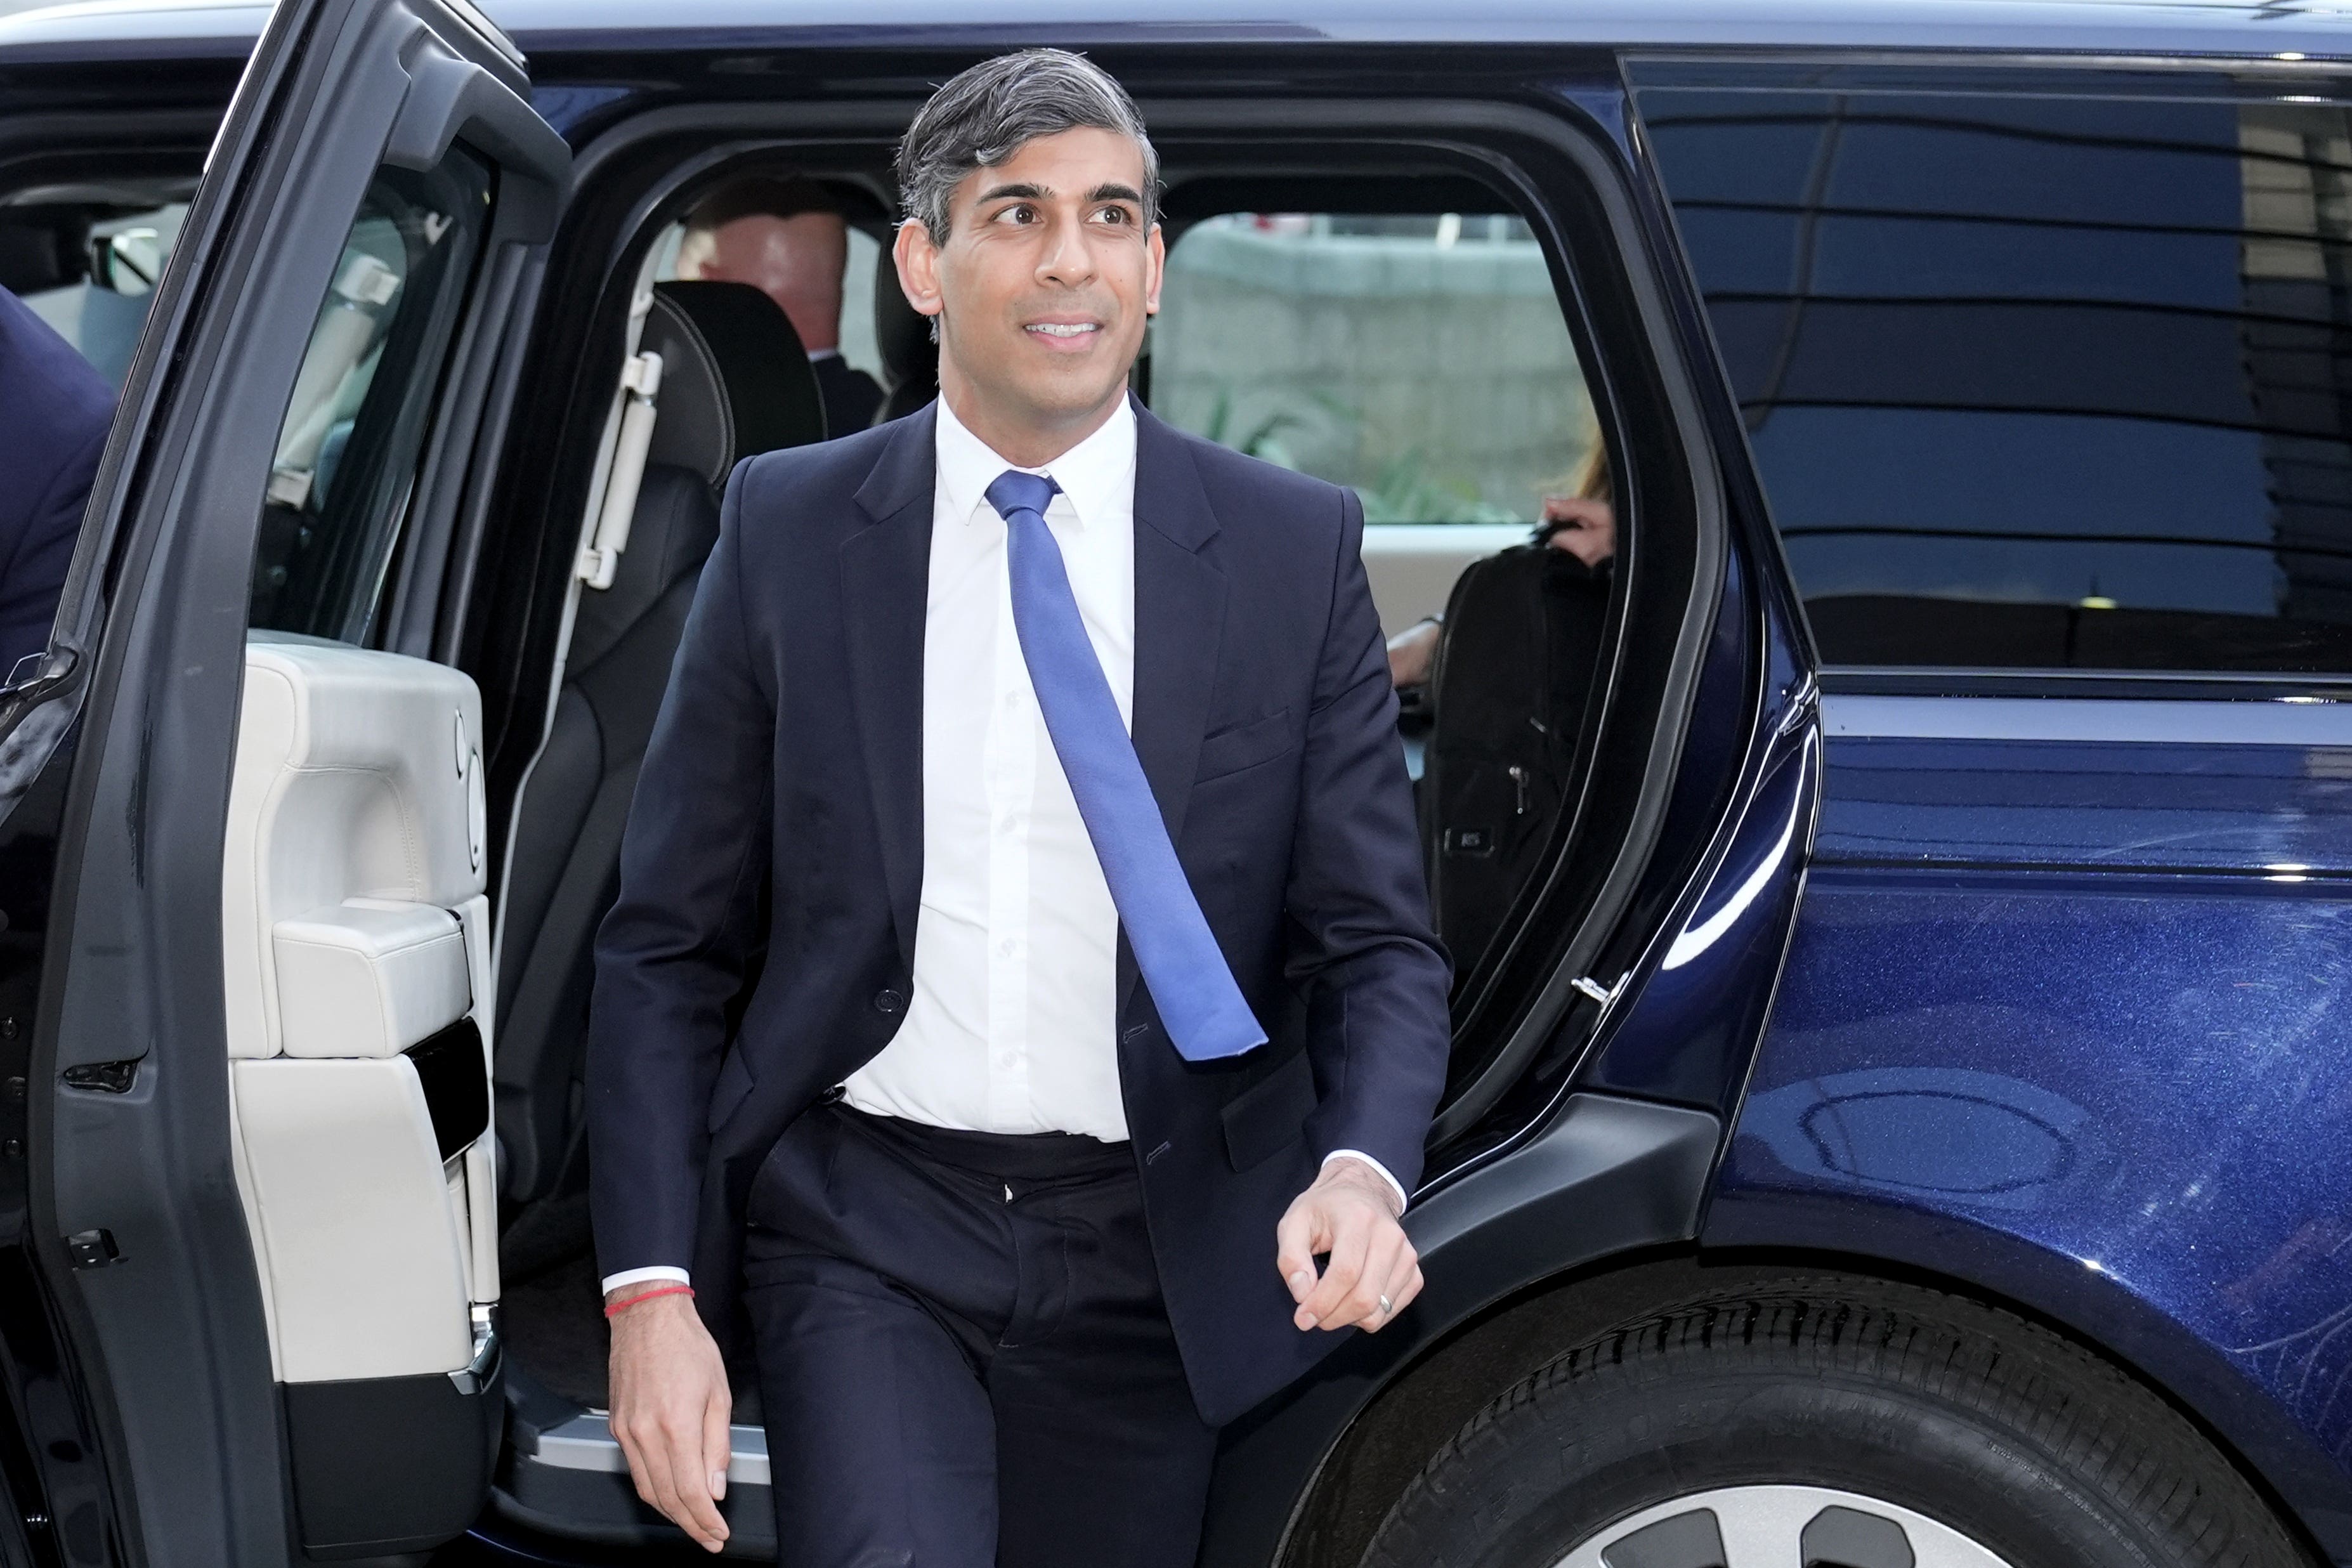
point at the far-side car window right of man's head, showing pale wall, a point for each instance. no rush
(1419, 359)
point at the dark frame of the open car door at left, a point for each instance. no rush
(138, 1221)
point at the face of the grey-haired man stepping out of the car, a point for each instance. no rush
(1043, 288)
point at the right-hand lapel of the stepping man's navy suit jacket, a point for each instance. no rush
(1180, 626)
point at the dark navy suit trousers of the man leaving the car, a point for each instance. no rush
(965, 1360)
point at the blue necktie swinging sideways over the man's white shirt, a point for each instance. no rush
(1191, 986)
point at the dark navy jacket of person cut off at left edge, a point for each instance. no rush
(55, 413)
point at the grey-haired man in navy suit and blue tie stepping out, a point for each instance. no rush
(1022, 970)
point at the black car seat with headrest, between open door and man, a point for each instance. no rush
(735, 384)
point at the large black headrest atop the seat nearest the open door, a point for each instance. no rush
(735, 380)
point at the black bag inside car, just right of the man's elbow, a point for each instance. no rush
(1516, 666)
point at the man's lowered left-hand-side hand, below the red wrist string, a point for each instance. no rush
(671, 1409)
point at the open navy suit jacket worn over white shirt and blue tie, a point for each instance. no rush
(766, 934)
